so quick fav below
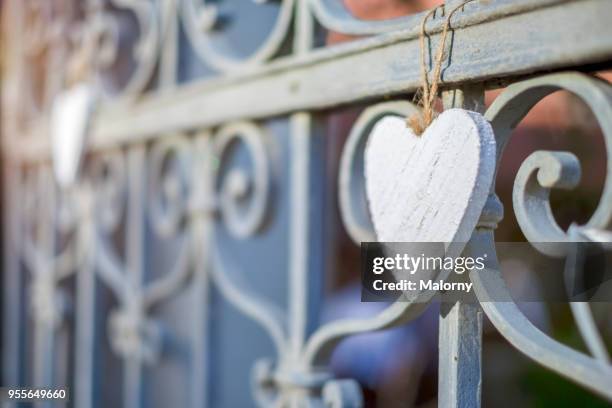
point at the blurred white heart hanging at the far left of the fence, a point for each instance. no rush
(70, 120)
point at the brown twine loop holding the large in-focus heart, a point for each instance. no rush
(428, 92)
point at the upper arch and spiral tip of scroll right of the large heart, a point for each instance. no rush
(545, 170)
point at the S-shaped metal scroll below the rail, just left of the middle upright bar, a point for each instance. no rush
(241, 199)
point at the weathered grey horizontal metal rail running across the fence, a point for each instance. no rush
(492, 49)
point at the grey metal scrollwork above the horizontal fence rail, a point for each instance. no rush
(123, 58)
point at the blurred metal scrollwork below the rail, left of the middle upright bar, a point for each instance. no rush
(185, 195)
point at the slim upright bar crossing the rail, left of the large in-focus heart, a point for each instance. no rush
(307, 171)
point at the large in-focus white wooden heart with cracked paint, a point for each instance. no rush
(429, 188)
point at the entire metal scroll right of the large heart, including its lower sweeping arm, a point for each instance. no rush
(538, 174)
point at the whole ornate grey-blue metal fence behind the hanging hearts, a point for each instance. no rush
(192, 243)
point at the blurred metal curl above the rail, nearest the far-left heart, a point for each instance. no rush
(102, 43)
